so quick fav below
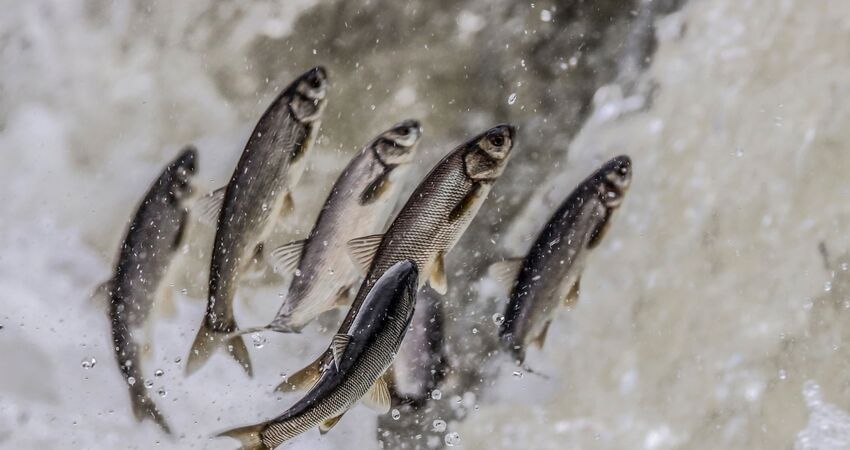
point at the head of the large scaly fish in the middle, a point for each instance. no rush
(488, 153)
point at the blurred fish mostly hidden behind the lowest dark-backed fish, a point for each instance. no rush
(421, 363)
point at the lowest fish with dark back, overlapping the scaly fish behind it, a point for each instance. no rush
(361, 357)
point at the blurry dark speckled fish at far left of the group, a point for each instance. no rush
(155, 234)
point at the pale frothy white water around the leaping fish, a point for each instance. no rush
(703, 316)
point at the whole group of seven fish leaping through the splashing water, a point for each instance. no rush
(389, 348)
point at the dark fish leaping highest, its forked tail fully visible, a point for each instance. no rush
(257, 194)
